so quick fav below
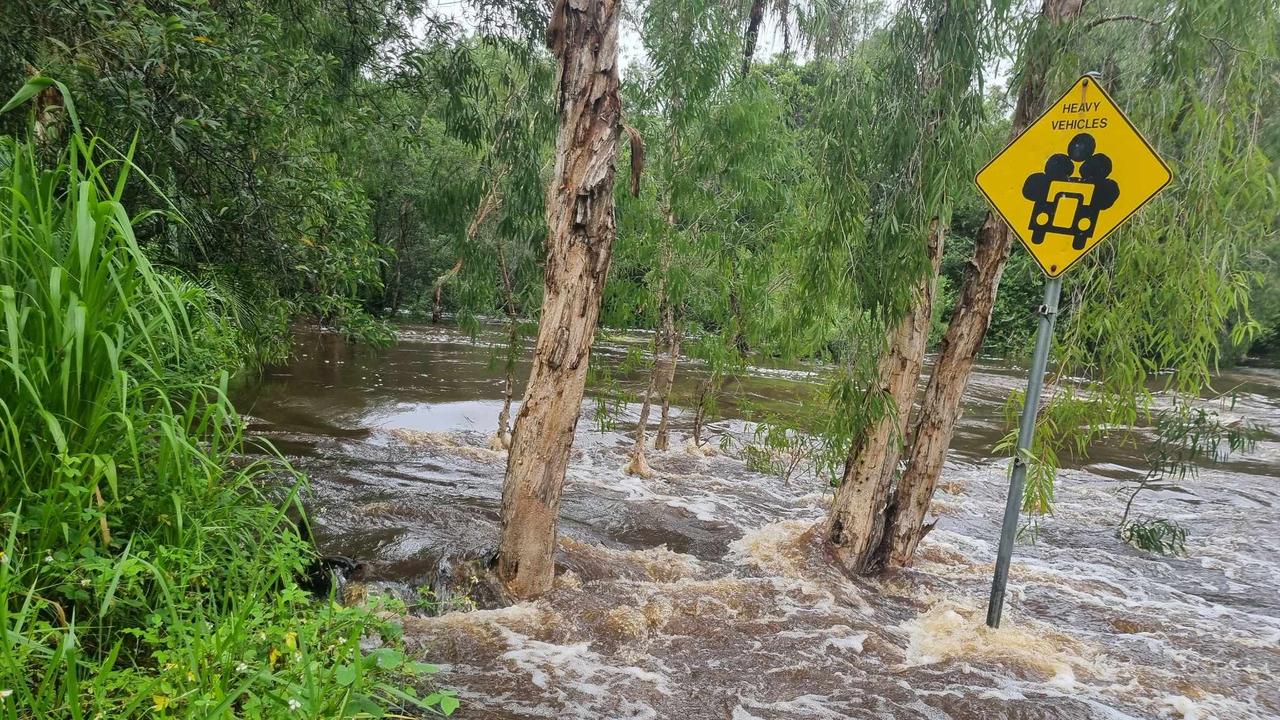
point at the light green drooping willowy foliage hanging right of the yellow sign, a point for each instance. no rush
(1168, 298)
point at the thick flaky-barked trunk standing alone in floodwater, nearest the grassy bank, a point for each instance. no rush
(584, 39)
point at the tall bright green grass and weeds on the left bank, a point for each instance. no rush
(147, 571)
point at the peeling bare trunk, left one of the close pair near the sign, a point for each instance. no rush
(858, 514)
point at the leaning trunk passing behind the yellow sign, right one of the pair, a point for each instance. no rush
(940, 411)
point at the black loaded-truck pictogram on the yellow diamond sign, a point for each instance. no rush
(1068, 202)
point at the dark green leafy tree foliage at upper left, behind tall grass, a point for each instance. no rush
(246, 115)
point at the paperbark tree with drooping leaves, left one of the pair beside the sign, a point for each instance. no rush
(941, 53)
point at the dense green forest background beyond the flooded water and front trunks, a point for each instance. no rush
(353, 161)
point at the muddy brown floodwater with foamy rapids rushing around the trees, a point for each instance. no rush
(701, 595)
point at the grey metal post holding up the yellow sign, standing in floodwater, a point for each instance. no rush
(1026, 434)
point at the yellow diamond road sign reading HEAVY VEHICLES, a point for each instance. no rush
(1072, 177)
